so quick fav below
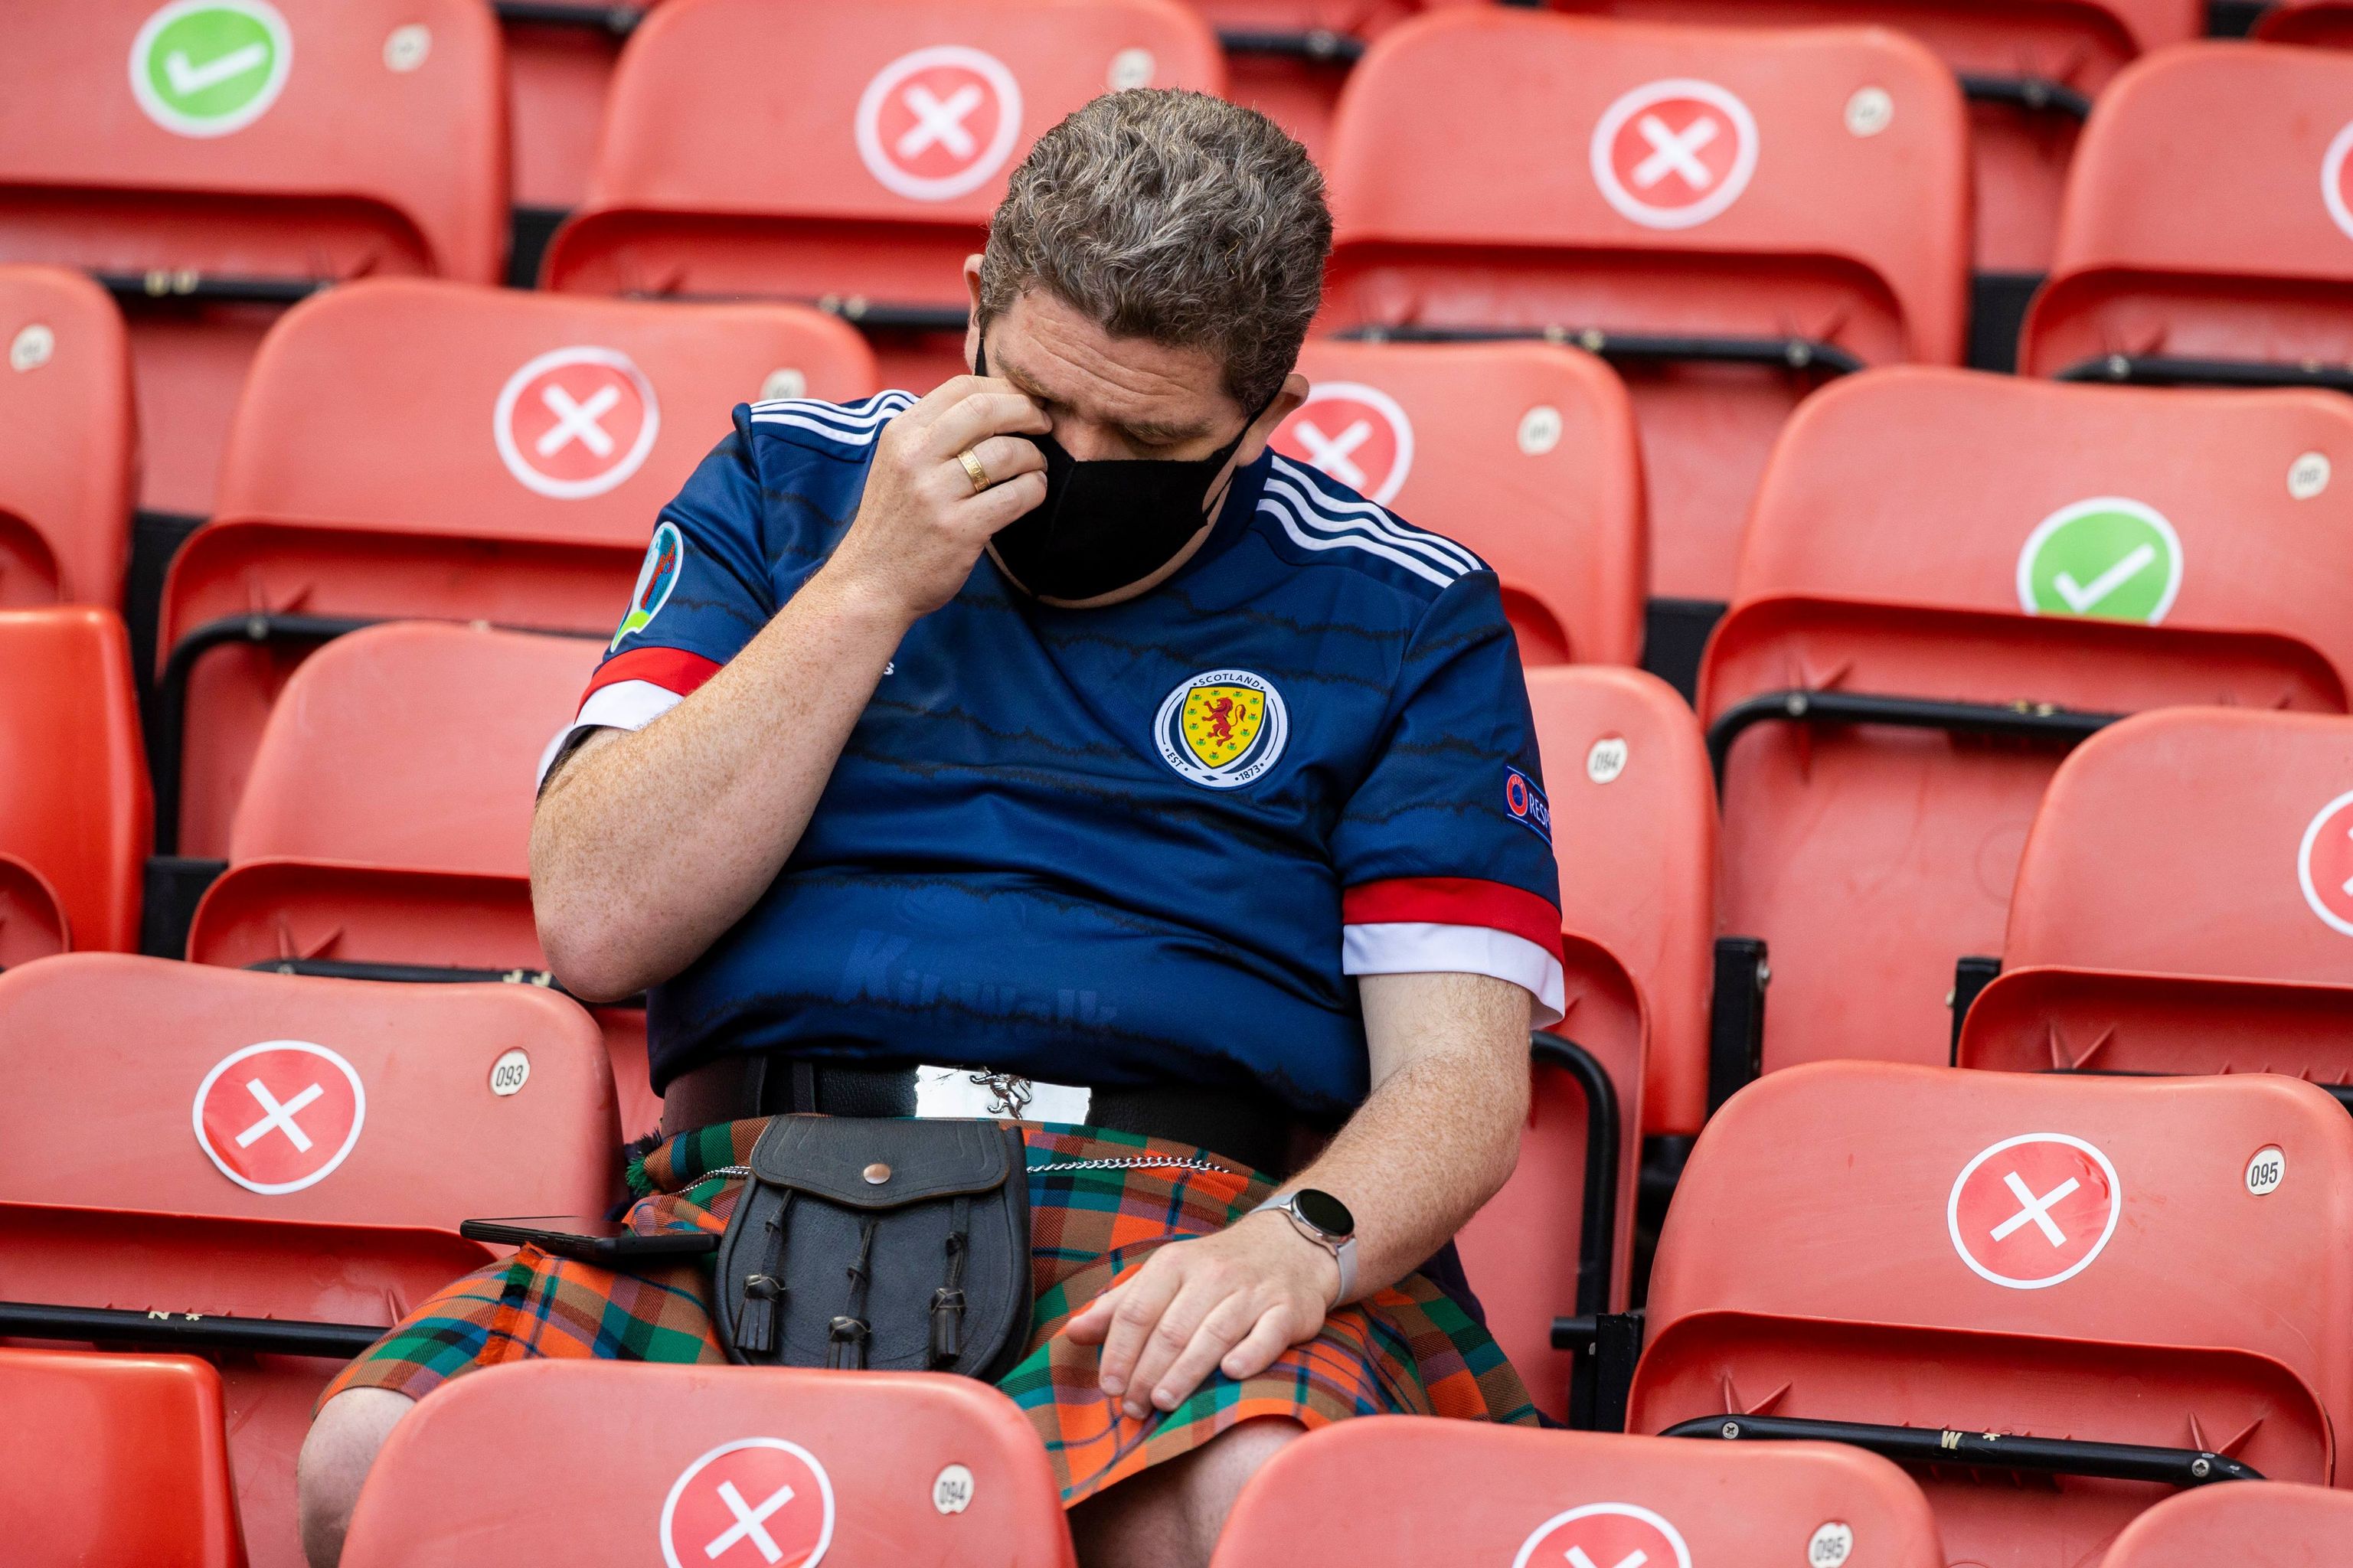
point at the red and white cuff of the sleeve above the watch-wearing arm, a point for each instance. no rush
(1455, 926)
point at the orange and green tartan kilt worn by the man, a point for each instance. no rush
(1406, 1350)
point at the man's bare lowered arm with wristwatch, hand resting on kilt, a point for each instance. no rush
(1434, 1141)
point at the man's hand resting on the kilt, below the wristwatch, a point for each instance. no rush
(1232, 1301)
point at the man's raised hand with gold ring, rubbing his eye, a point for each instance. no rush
(921, 526)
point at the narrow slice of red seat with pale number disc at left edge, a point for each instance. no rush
(69, 446)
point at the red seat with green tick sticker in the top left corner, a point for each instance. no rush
(251, 154)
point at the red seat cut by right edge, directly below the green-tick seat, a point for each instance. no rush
(2232, 950)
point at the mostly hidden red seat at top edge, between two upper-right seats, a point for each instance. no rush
(2029, 67)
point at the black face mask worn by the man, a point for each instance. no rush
(1107, 526)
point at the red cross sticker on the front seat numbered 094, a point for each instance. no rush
(754, 1503)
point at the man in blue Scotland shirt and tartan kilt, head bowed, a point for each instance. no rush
(1053, 726)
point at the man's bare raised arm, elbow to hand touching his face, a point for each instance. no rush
(651, 844)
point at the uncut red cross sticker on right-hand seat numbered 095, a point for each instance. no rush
(2034, 1211)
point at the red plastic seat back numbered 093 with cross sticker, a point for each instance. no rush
(206, 1091)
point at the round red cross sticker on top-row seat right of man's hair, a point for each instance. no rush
(1674, 154)
